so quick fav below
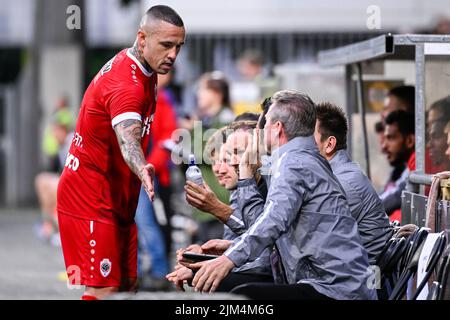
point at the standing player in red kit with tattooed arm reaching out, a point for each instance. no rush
(105, 167)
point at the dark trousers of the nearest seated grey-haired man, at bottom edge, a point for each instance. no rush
(266, 291)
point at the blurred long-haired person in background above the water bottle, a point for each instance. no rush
(213, 112)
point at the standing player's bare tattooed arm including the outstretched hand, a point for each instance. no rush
(129, 133)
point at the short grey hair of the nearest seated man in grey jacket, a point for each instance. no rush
(296, 111)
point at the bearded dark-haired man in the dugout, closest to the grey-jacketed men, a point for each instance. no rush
(398, 145)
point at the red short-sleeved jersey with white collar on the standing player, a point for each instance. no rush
(96, 183)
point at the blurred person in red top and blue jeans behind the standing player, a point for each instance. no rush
(155, 237)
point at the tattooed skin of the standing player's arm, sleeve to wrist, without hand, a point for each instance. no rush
(129, 134)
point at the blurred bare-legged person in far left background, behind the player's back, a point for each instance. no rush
(46, 183)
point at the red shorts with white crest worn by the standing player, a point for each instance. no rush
(98, 254)
